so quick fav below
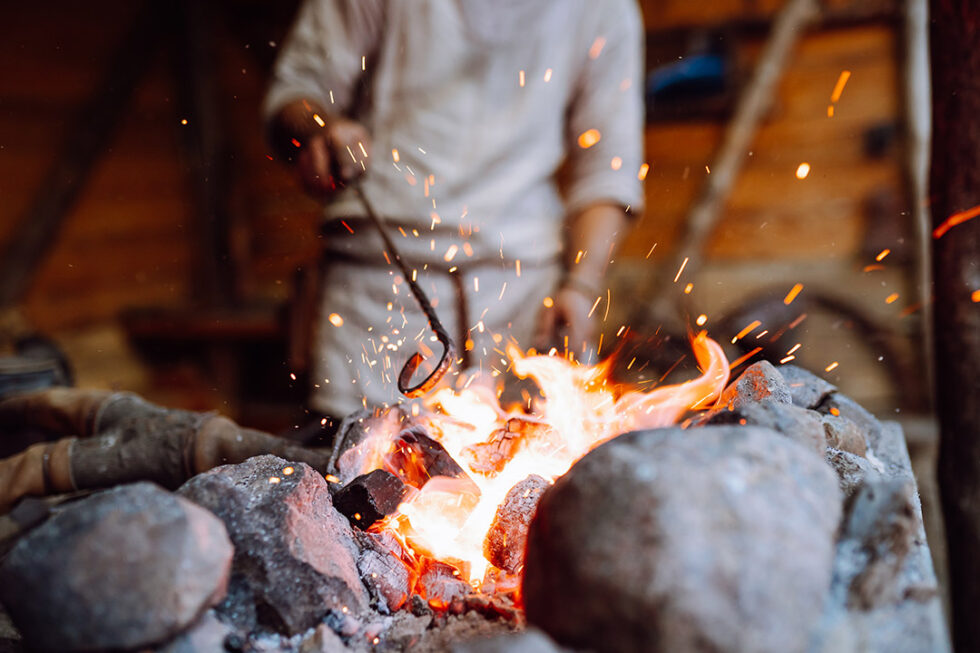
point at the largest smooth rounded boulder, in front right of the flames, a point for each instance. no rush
(718, 538)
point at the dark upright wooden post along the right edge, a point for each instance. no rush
(955, 190)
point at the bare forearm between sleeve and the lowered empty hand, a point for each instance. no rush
(592, 237)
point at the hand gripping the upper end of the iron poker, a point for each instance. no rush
(333, 156)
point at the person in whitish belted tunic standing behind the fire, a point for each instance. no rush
(455, 116)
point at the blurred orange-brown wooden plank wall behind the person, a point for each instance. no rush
(130, 239)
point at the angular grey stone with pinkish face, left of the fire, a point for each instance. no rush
(295, 556)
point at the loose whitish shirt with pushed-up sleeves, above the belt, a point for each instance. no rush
(472, 106)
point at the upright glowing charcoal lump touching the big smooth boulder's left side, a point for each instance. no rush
(504, 544)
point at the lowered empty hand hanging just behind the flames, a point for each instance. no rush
(568, 316)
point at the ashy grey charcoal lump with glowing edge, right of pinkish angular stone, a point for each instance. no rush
(388, 578)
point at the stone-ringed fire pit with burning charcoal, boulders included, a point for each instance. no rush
(780, 517)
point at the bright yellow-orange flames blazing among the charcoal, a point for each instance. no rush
(465, 451)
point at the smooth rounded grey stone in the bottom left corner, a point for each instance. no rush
(126, 568)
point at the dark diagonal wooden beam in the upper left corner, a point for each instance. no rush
(93, 129)
